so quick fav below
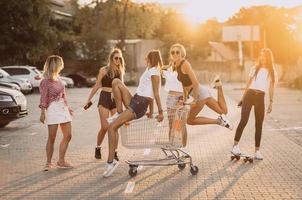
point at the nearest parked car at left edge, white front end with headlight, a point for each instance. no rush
(13, 105)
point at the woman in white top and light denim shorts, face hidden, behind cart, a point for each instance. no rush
(175, 92)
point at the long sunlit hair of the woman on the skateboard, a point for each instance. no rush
(269, 59)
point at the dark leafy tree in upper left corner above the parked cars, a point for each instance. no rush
(25, 32)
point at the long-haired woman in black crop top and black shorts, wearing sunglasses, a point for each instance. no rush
(106, 104)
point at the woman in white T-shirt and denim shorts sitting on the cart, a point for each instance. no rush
(147, 90)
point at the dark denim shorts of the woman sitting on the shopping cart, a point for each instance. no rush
(139, 105)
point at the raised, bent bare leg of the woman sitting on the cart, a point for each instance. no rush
(121, 94)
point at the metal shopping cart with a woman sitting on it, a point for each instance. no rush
(169, 135)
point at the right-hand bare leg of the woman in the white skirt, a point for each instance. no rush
(66, 130)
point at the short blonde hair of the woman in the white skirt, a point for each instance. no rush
(52, 67)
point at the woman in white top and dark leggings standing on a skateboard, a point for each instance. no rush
(262, 78)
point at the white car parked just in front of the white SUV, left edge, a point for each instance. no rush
(24, 84)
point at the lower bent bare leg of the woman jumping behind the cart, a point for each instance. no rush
(195, 109)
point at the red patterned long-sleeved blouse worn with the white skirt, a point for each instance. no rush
(50, 91)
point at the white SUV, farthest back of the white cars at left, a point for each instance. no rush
(29, 72)
